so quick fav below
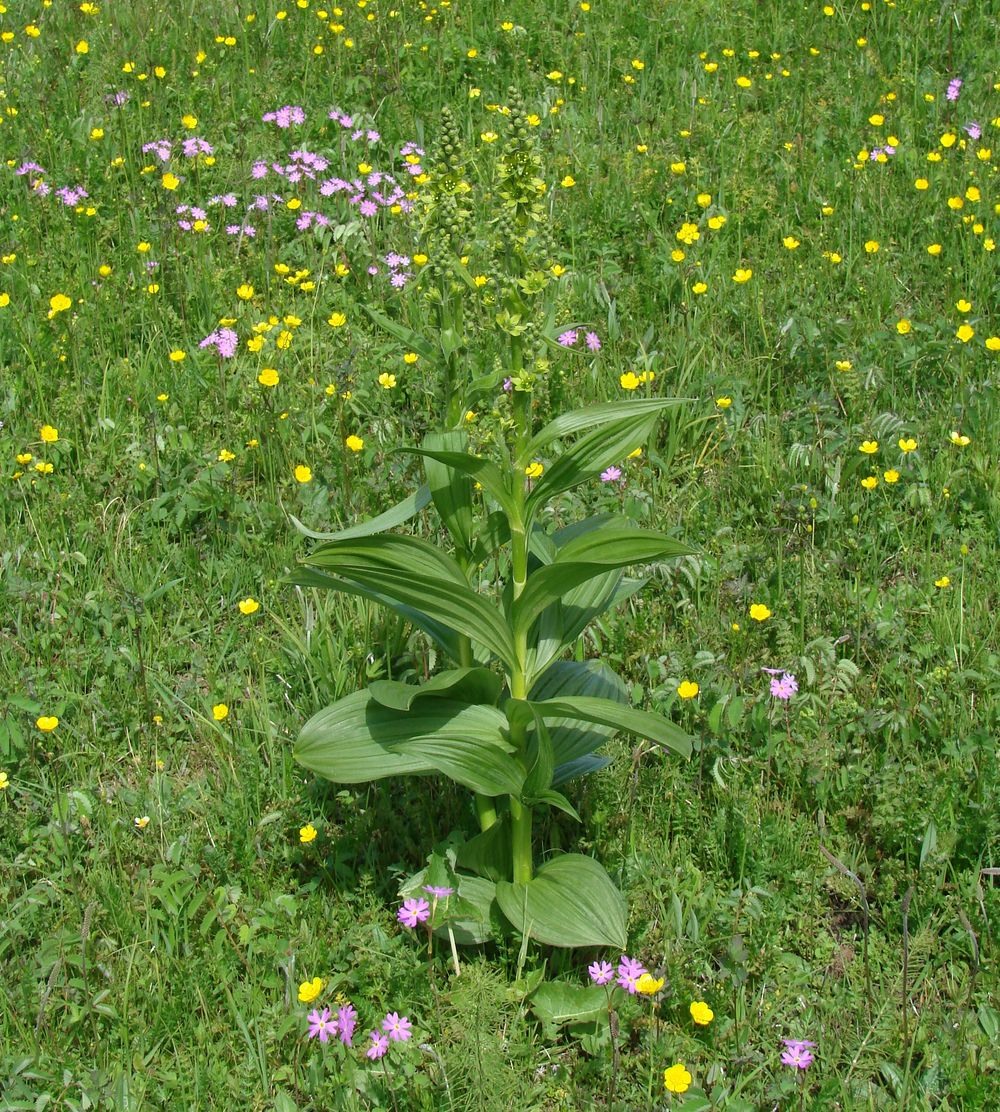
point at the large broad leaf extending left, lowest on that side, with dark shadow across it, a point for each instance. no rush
(357, 740)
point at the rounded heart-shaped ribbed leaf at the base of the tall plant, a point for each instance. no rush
(571, 902)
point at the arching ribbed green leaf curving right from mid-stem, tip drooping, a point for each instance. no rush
(587, 558)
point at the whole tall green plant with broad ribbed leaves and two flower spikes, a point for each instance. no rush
(511, 720)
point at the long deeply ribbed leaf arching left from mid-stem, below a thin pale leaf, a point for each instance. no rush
(414, 573)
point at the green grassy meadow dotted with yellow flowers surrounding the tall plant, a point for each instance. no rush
(821, 868)
